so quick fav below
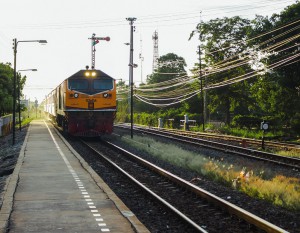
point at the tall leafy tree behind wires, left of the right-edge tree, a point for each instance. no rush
(223, 39)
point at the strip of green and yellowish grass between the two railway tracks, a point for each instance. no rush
(255, 181)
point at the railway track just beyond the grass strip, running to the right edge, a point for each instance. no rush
(291, 162)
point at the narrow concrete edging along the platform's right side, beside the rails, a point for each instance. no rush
(134, 221)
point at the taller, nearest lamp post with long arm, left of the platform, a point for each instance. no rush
(15, 44)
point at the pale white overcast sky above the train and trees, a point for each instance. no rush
(67, 25)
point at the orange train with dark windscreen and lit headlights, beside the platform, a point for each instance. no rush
(84, 104)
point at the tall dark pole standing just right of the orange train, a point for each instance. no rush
(131, 65)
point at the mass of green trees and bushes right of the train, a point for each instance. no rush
(271, 96)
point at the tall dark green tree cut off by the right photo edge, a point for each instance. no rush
(277, 92)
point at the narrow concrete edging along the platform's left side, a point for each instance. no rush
(10, 189)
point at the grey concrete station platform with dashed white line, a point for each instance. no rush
(52, 189)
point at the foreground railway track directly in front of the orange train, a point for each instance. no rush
(199, 209)
